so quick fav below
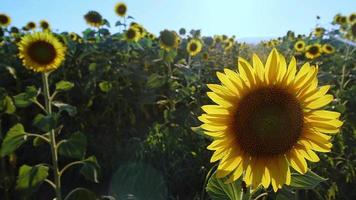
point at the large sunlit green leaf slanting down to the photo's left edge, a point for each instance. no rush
(14, 138)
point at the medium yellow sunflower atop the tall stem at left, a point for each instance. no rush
(41, 51)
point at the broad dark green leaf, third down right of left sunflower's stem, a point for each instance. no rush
(74, 147)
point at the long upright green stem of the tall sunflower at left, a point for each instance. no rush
(48, 106)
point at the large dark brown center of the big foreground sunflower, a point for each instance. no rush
(268, 122)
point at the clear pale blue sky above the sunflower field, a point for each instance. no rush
(242, 18)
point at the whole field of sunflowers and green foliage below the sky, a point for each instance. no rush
(132, 115)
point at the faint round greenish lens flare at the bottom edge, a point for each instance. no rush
(138, 181)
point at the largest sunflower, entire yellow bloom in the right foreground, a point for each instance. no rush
(268, 118)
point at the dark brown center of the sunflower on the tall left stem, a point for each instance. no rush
(42, 52)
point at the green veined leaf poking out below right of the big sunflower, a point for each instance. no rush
(307, 181)
